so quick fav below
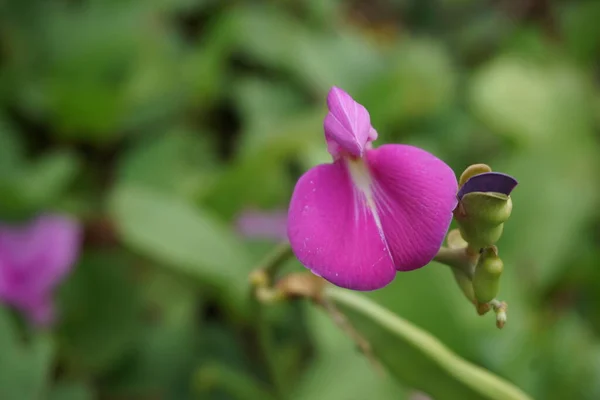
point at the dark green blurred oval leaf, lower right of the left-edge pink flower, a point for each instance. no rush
(100, 311)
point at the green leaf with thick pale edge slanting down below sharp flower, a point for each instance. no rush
(415, 357)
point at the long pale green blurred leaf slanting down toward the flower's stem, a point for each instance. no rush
(185, 238)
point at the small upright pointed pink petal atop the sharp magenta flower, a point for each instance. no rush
(347, 125)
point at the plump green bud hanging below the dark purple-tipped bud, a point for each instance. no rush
(486, 280)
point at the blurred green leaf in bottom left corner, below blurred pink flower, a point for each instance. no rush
(24, 365)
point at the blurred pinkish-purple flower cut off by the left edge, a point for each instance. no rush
(34, 259)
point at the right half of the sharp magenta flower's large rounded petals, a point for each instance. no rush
(415, 193)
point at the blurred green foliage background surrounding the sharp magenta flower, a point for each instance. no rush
(159, 122)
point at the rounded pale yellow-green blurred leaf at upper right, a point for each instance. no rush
(531, 102)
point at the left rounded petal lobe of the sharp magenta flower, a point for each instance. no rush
(333, 232)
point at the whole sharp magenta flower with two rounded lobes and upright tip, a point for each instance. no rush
(372, 212)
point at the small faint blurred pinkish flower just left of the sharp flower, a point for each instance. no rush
(268, 225)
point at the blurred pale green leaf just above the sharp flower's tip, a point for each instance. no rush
(320, 59)
